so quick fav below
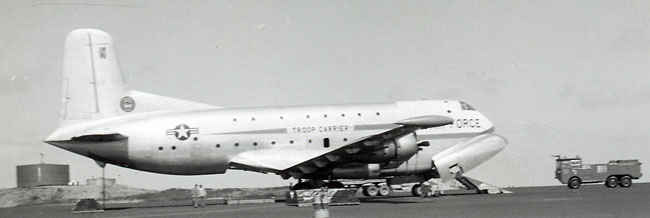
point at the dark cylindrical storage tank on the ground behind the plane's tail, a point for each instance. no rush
(42, 174)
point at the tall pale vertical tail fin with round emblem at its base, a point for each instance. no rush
(93, 86)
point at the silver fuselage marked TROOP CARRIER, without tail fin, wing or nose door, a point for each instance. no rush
(203, 141)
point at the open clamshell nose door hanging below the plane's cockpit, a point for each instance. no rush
(465, 156)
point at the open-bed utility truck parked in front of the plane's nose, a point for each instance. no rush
(615, 173)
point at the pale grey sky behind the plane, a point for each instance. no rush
(555, 77)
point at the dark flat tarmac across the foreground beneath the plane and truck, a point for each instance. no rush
(592, 201)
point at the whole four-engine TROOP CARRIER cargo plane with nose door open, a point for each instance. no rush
(102, 119)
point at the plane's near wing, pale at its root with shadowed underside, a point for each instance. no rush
(297, 160)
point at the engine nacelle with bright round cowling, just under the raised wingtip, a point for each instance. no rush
(398, 149)
